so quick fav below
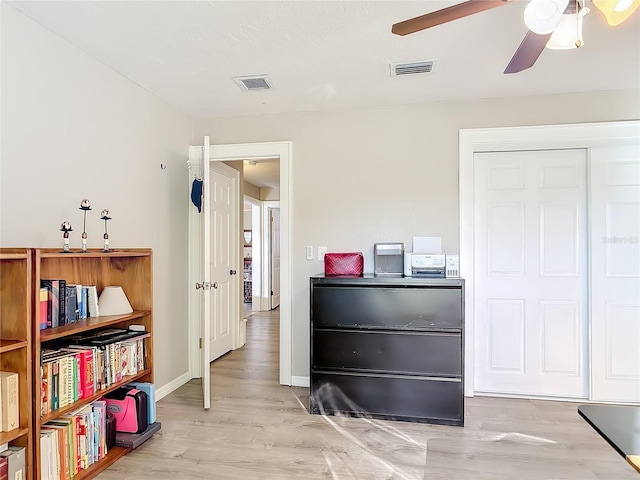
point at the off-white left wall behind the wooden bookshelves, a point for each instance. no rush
(72, 129)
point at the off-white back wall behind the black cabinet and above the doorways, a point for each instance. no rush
(382, 174)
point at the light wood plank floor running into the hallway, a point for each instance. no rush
(257, 429)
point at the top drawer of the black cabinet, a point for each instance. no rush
(390, 307)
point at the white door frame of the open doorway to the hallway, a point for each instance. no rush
(248, 151)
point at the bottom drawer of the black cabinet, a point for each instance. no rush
(388, 397)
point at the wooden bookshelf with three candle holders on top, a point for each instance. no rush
(132, 269)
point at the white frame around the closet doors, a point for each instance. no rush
(472, 141)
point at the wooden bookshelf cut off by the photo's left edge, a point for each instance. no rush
(16, 283)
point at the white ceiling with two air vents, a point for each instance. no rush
(328, 54)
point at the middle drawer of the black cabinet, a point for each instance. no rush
(404, 352)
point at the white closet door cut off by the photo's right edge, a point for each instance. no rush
(615, 273)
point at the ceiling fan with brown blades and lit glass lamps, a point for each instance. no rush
(555, 24)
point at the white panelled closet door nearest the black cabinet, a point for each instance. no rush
(531, 272)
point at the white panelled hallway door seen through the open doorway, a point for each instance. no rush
(223, 213)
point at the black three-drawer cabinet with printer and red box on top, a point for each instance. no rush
(387, 347)
